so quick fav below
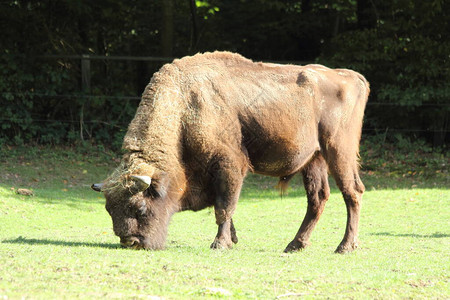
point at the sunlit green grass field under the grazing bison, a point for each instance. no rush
(59, 243)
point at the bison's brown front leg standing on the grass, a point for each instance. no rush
(227, 184)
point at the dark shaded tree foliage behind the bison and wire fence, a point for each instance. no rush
(401, 46)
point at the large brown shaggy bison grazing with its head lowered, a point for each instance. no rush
(205, 121)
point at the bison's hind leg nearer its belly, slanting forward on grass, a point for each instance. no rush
(315, 179)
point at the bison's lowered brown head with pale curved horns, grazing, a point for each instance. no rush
(140, 204)
